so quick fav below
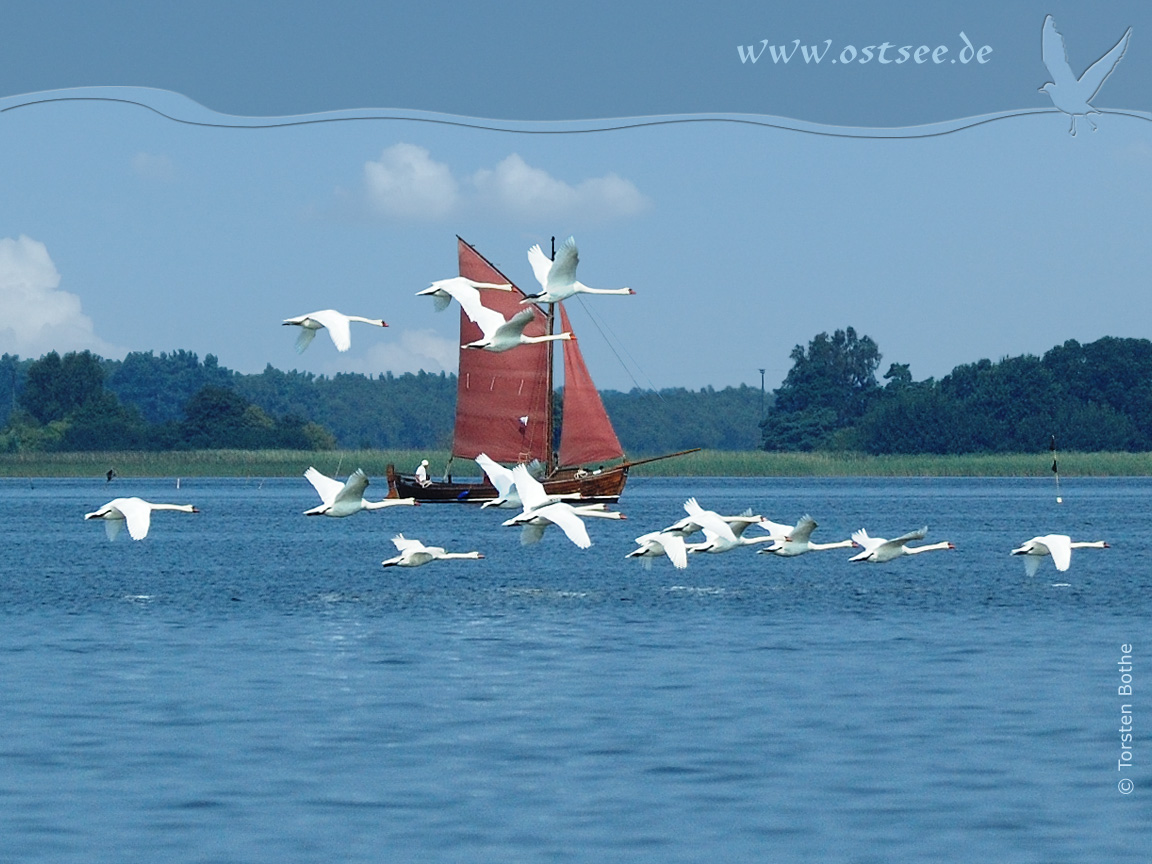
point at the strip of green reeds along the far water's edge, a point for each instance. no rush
(707, 464)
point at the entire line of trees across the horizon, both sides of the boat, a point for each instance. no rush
(1095, 397)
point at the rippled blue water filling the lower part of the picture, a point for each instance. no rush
(247, 685)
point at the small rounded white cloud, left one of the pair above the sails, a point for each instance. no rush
(406, 183)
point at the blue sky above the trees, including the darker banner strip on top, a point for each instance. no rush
(124, 230)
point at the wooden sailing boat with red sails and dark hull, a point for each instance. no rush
(504, 408)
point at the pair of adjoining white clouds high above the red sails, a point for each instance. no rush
(408, 184)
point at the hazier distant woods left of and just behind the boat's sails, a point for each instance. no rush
(177, 401)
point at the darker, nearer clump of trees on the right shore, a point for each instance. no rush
(1095, 397)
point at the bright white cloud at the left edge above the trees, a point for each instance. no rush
(39, 317)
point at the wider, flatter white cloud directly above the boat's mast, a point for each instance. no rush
(525, 192)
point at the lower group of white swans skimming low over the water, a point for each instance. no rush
(519, 490)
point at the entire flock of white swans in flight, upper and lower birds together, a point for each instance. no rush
(518, 489)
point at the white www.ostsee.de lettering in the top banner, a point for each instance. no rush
(886, 54)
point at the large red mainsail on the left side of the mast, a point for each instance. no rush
(502, 399)
